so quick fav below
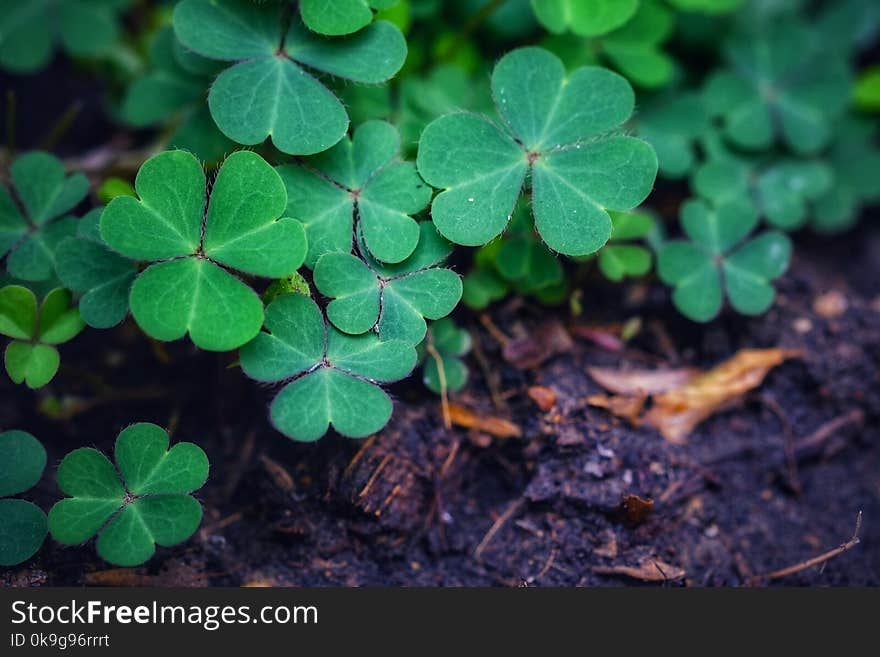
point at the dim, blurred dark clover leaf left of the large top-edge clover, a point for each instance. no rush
(173, 90)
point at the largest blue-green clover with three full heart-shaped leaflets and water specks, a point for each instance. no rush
(559, 132)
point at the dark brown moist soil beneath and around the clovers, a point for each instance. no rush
(773, 481)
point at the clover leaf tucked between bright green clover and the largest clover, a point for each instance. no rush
(361, 178)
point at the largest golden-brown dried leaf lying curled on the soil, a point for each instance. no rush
(677, 412)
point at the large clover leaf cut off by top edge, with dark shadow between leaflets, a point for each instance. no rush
(267, 91)
